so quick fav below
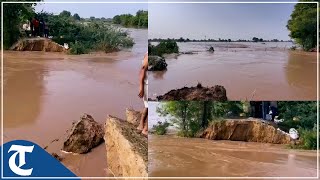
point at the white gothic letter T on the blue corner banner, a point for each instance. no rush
(21, 151)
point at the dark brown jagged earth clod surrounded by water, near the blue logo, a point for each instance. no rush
(85, 135)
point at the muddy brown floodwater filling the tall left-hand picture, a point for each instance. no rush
(45, 92)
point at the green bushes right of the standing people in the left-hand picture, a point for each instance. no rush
(83, 36)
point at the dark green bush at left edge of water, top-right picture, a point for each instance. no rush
(164, 47)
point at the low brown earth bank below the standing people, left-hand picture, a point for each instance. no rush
(37, 44)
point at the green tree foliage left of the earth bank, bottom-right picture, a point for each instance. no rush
(192, 116)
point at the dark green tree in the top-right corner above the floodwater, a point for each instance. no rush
(303, 24)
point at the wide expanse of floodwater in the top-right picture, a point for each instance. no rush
(252, 71)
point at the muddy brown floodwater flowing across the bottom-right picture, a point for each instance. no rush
(173, 156)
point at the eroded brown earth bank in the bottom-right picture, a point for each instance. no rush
(252, 130)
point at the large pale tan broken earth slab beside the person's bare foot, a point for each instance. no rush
(127, 150)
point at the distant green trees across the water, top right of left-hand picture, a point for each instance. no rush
(140, 20)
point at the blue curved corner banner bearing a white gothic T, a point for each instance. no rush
(27, 159)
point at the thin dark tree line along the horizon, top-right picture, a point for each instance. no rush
(181, 39)
